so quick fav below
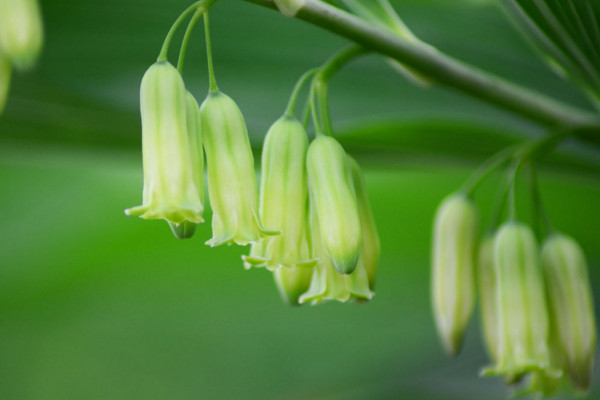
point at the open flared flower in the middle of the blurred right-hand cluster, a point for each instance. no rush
(523, 315)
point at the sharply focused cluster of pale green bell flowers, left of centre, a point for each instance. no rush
(312, 225)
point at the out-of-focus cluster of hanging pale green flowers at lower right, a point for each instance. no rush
(537, 307)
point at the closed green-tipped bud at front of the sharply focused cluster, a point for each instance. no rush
(332, 193)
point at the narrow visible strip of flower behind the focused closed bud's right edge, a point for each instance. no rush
(371, 247)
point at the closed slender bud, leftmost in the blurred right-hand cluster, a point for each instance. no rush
(454, 245)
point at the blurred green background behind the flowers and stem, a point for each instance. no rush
(95, 305)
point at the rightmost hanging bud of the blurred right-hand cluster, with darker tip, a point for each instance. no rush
(571, 307)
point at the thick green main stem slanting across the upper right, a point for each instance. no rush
(442, 68)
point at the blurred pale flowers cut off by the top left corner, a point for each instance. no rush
(21, 38)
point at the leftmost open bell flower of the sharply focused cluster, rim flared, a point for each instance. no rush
(170, 192)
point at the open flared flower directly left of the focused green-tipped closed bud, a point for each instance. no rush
(283, 199)
